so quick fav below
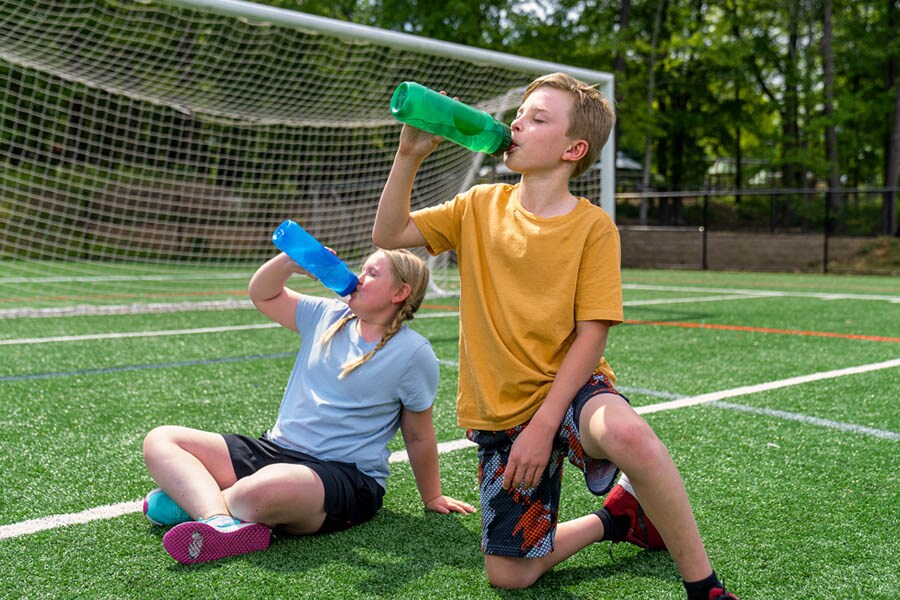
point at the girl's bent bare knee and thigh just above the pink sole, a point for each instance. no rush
(286, 495)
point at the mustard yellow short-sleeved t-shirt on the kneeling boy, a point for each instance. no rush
(525, 281)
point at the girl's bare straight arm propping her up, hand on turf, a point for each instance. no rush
(421, 446)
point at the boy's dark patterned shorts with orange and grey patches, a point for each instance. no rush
(522, 523)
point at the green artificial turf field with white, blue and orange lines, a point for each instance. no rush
(795, 483)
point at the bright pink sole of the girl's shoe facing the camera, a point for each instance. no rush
(197, 542)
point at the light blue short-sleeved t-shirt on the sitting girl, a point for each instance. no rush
(351, 419)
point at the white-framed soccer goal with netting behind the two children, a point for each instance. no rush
(146, 141)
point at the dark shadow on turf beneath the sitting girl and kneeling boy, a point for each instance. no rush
(388, 554)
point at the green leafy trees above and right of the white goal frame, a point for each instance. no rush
(742, 77)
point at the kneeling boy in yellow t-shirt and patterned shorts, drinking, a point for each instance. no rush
(539, 271)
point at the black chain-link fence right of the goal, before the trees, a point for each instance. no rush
(850, 230)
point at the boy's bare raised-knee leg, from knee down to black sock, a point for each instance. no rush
(611, 429)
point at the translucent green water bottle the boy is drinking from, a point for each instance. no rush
(441, 115)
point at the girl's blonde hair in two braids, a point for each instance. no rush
(406, 268)
